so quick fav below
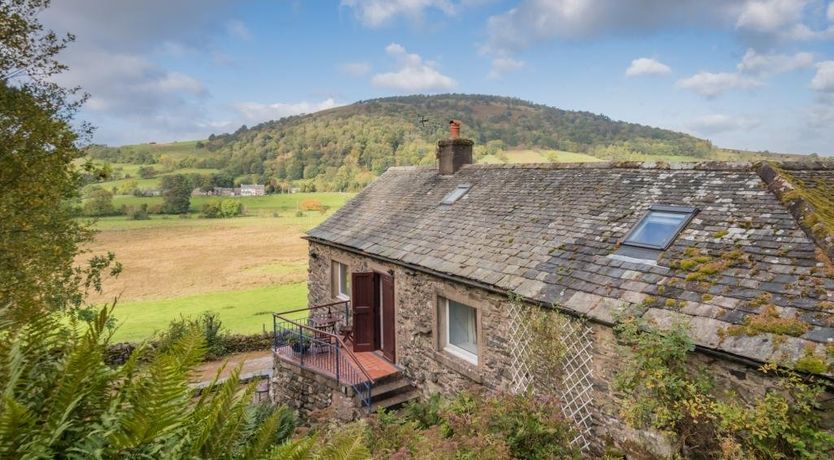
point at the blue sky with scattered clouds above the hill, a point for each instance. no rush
(752, 74)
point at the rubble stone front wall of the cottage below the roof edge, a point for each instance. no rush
(433, 371)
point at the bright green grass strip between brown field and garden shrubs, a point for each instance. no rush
(245, 311)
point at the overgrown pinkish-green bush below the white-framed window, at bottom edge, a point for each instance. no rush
(474, 426)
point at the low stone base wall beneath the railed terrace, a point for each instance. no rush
(313, 397)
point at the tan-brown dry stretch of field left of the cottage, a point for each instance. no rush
(170, 262)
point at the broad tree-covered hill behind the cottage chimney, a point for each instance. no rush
(342, 149)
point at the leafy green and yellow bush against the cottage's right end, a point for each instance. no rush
(664, 392)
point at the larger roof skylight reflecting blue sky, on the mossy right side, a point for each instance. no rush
(659, 227)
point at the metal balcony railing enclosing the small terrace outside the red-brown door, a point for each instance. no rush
(311, 337)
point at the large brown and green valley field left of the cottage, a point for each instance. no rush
(241, 268)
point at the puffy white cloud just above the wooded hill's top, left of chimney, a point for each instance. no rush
(414, 74)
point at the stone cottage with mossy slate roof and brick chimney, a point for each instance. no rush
(423, 260)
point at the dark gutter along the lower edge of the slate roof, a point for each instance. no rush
(727, 356)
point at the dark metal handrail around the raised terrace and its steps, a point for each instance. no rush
(326, 339)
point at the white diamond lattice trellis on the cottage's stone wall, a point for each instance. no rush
(575, 388)
